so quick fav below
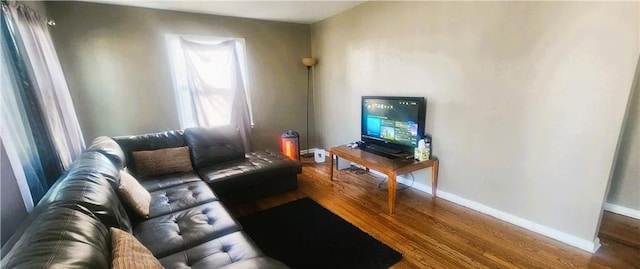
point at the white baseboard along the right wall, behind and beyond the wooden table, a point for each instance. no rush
(581, 243)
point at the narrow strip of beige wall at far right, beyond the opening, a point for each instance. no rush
(625, 184)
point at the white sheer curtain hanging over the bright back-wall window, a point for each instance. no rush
(217, 94)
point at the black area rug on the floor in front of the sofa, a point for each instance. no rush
(303, 234)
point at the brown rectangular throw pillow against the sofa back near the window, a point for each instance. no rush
(162, 161)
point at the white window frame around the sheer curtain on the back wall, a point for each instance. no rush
(177, 68)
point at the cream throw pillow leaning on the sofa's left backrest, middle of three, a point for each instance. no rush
(136, 196)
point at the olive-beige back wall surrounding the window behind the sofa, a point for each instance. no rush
(115, 62)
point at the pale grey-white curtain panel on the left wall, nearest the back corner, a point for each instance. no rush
(52, 90)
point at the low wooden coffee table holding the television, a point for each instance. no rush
(390, 167)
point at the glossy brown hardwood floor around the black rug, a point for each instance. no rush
(440, 234)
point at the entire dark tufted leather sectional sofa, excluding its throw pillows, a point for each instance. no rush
(188, 224)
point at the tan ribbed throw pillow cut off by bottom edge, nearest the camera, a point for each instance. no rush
(128, 252)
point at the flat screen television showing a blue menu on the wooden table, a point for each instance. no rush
(391, 124)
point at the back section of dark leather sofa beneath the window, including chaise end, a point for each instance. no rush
(219, 159)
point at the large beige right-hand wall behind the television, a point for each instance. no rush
(525, 100)
